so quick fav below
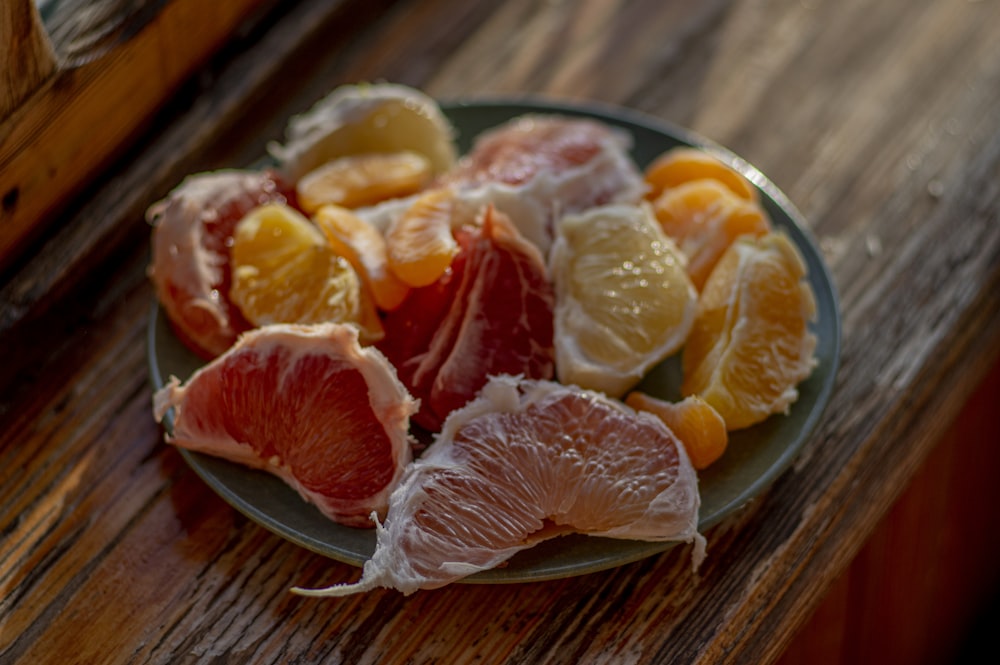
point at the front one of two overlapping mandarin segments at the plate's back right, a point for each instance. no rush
(704, 217)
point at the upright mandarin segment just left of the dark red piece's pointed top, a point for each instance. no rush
(420, 243)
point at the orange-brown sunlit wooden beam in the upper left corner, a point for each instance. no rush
(61, 135)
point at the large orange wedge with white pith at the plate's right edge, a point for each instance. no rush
(751, 344)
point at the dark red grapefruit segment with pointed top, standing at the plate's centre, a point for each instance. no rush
(491, 313)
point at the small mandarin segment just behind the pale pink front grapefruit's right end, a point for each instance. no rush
(695, 422)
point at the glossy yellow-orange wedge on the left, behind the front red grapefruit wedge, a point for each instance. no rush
(284, 271)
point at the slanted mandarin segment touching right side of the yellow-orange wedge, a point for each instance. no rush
(364, 247)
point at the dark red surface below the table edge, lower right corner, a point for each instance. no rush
(918, 587)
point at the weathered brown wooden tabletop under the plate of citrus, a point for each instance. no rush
(881, 121)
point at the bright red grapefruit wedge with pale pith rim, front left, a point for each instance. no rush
(307, 404)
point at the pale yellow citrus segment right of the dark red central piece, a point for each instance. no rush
(623, 299)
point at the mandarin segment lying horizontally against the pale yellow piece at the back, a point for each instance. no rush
(363, 180)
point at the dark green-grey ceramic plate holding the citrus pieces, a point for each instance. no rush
(755, 456)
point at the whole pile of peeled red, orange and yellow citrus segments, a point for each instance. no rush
(507, 302)
